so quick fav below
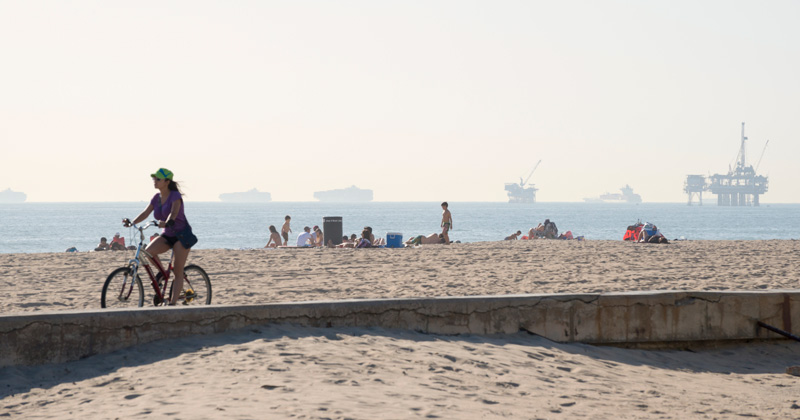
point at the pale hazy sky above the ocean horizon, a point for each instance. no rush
(417, 100)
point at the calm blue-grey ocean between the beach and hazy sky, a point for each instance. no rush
(54, 227)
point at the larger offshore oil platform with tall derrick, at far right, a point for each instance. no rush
(739, 187)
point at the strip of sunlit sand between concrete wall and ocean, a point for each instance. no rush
(61, 281)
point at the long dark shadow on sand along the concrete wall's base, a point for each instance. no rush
(758, 358)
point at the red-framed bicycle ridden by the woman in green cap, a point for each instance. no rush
(123, 287)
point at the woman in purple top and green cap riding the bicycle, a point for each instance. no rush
(177, 234)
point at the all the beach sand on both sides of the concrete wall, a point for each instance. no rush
(290, 372)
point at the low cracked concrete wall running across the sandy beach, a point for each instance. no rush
(613, 319)
